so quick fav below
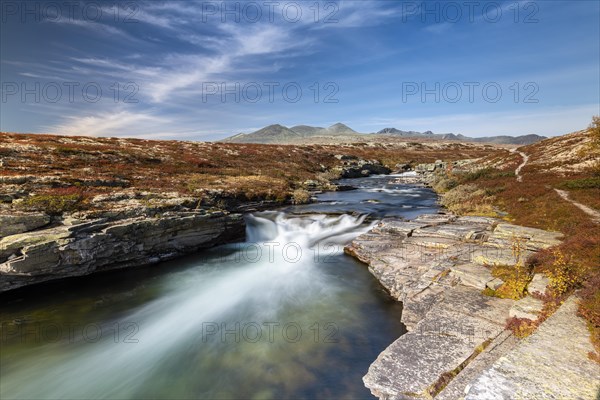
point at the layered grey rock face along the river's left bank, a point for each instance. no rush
(99, 245)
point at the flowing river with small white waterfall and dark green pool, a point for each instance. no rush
(284, 315)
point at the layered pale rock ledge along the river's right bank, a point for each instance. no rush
(437, 265)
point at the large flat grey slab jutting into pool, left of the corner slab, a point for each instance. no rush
(459, 320)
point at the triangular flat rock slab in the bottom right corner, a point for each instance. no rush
(552, 363)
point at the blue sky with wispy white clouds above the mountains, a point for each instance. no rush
(206, 70)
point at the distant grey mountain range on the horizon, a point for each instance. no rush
(279, 134)
